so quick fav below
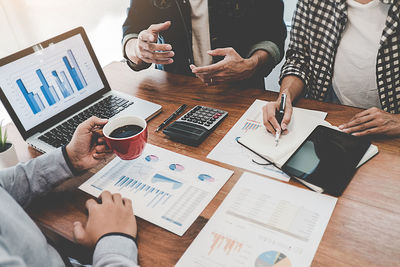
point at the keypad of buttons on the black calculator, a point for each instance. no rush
(205, 116)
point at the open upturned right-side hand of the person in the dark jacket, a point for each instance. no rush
(232, 68)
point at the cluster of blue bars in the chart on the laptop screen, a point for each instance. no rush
(63, 85)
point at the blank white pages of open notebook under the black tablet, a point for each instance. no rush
(303, 122)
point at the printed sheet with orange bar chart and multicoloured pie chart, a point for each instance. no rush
(262, 223)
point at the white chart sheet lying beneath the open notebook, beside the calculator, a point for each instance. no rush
(231, 152)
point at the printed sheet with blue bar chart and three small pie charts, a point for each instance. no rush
(166, 188)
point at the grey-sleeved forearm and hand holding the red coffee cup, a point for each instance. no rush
(40, 175)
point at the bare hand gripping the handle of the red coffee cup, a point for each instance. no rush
(83, 151)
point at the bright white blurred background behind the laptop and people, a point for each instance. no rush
(26, 22)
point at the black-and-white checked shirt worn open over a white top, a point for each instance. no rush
(316, 32)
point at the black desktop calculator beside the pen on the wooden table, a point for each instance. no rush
(194, 126)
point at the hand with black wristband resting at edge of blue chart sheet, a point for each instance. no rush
(114, 214)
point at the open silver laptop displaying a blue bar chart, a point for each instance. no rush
(51, 87)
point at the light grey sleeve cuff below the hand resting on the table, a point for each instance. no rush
(115, 251)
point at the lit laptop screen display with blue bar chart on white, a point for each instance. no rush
(49, 80)
